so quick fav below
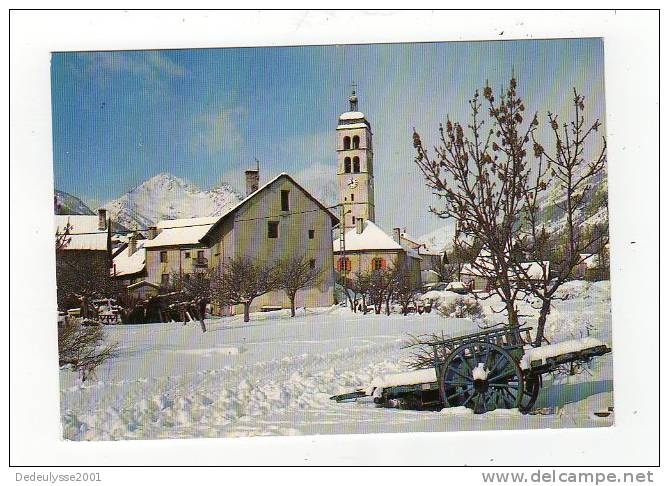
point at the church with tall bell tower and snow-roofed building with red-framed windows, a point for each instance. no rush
(361, 245)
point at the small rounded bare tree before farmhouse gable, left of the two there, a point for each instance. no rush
(241, 280)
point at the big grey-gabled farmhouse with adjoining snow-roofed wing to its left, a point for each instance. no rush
(277, 220)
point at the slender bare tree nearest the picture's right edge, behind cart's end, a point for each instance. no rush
(571, 170)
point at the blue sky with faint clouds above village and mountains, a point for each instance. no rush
(206, 114)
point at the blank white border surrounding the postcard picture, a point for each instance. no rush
(632, 92)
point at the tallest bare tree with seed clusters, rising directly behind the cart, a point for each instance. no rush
(478, 171)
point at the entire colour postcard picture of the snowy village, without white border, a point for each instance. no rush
(336, 239)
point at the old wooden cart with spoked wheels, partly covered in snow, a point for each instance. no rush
(484, 371)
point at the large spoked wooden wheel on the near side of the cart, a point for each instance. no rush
(481, 376)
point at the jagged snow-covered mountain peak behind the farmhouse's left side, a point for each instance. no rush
(165, 196)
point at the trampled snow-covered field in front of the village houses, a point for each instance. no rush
(274, 376)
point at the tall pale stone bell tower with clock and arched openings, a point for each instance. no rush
(355, 174)
